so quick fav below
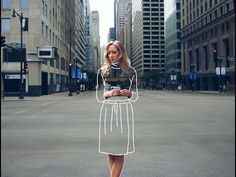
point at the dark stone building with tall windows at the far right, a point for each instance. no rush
(208, 26)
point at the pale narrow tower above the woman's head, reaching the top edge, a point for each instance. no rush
(120, 10)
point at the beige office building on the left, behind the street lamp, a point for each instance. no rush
(51, 40)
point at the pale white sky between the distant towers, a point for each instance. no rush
(105, 9)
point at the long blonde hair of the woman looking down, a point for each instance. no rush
(124, 60)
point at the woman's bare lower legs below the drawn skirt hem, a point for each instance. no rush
(116, 164)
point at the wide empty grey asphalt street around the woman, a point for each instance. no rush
(177, 134)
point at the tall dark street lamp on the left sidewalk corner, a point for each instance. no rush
(19, 13)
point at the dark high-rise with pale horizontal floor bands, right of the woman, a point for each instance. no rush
(148, 43)
